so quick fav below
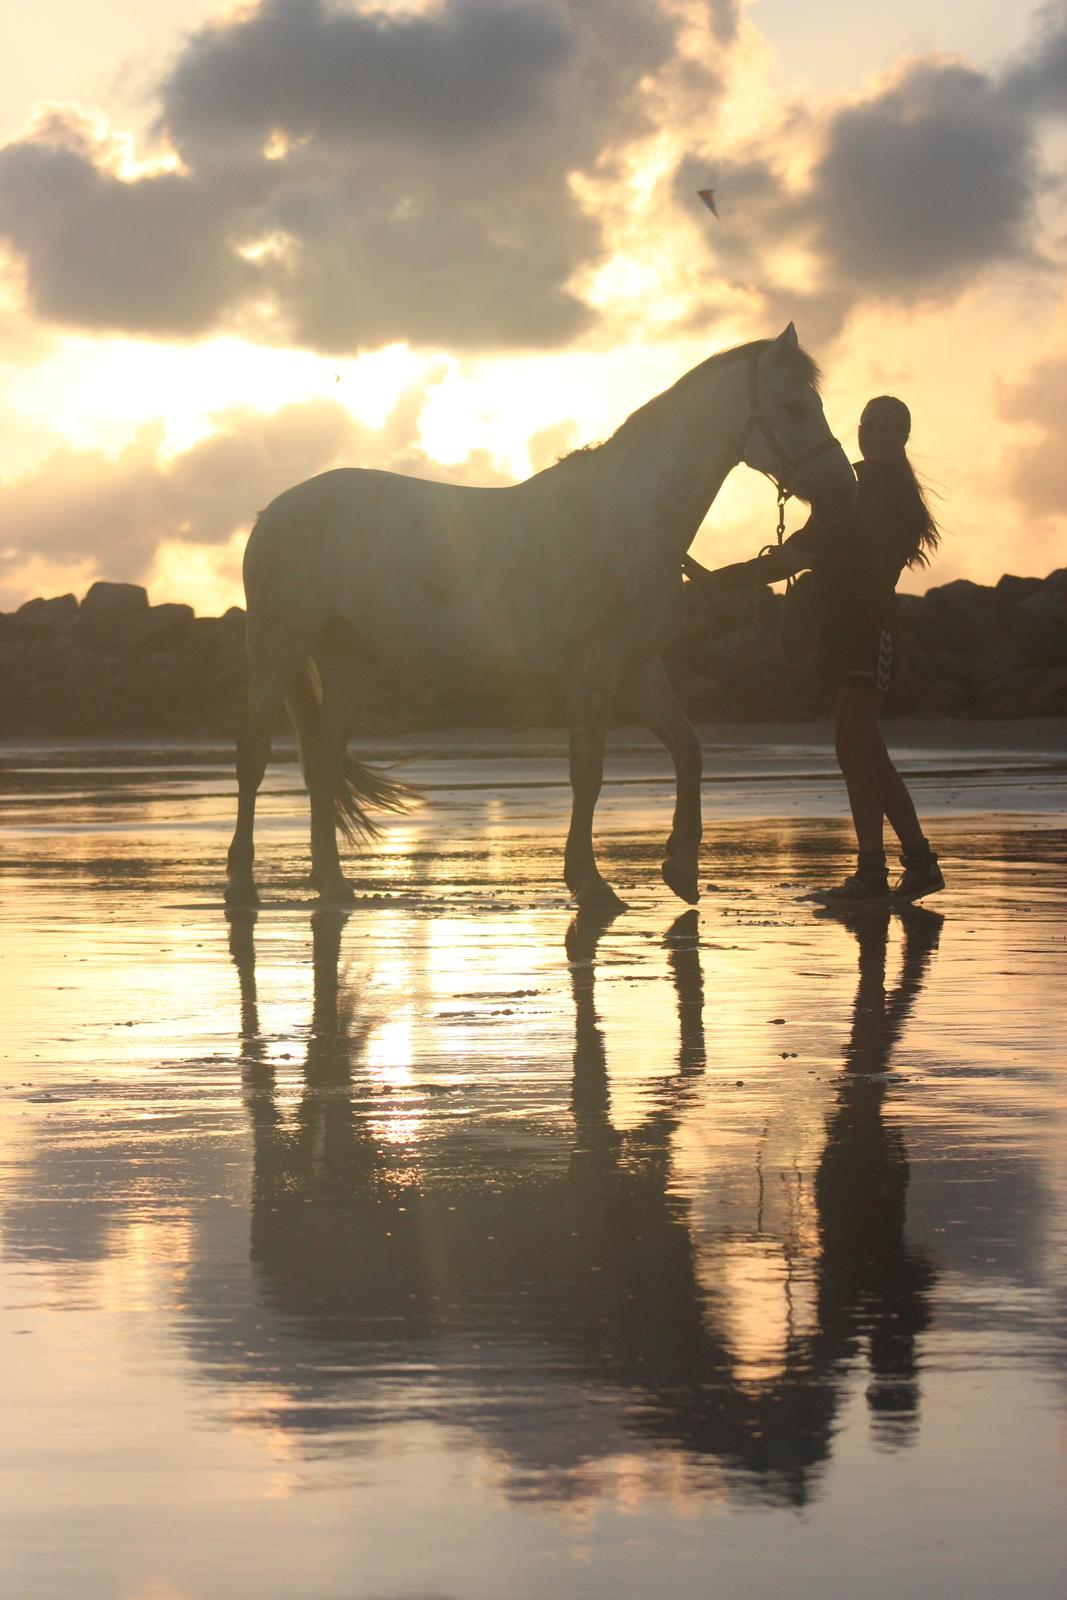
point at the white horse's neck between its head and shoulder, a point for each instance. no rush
(669, 465)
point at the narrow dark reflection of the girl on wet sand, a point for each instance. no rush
(871, 1284)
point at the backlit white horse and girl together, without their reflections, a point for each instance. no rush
(575, 578)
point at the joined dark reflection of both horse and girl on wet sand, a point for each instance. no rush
(498, 1284)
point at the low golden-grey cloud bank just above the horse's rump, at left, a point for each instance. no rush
(121, 511)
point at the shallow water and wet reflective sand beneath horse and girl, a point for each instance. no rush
(457, 1246)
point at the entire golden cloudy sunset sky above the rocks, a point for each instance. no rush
(242, 244)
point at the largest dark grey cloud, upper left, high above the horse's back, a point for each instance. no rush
(356, 177)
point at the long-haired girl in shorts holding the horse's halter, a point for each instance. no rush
(857, 569)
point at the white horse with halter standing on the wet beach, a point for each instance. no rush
(572, 577)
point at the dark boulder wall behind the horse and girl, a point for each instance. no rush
(118, 665)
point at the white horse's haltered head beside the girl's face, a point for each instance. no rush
(786, 433)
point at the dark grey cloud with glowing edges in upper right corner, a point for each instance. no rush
(913, 193)
